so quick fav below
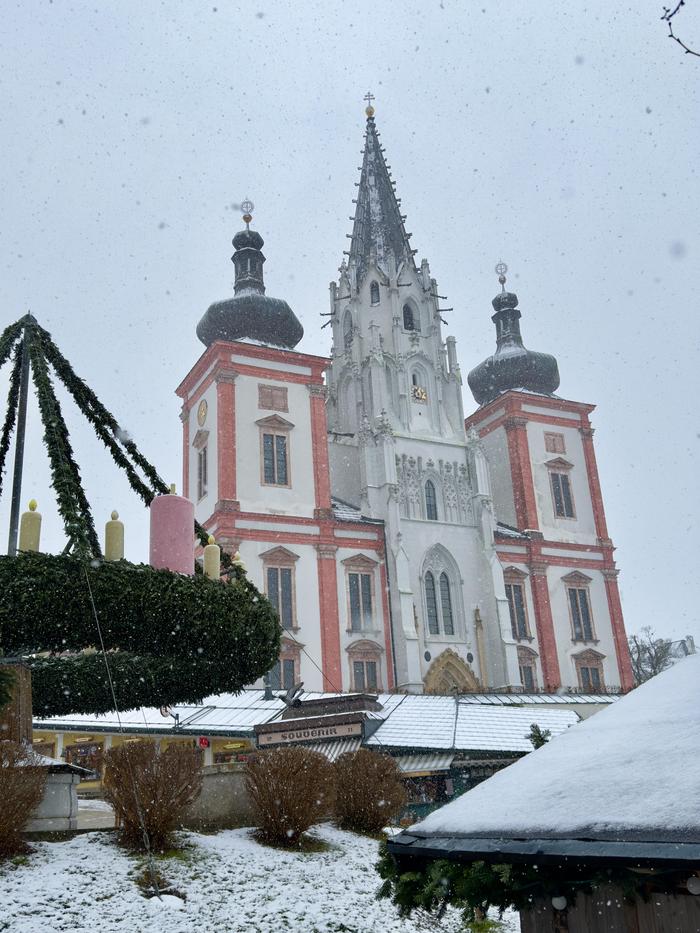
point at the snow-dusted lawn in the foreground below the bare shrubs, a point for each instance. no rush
(231, 883)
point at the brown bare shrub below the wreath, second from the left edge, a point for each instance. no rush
(150, 789)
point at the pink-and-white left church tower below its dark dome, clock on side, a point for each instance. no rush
(306, 555)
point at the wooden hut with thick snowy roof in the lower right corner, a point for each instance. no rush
(618, 794)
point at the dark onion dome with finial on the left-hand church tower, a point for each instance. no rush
(250, 314)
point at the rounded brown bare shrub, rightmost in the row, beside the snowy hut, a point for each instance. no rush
(369, 791)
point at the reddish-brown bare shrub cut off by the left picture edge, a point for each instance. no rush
(21, 787)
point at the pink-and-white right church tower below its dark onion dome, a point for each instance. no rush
(571, 632)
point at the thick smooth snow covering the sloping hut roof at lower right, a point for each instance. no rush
(631, 773)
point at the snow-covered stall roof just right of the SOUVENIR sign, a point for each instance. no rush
(441, 722)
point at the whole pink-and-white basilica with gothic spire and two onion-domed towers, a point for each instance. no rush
(407, 545)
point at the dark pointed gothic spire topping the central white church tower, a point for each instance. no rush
(378, 232)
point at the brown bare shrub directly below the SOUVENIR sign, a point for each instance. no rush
(291, 789)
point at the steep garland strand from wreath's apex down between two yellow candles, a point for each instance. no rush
(65, 475)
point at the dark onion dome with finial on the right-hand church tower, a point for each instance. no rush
(512, 366)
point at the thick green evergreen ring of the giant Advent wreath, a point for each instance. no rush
(169, 638)
